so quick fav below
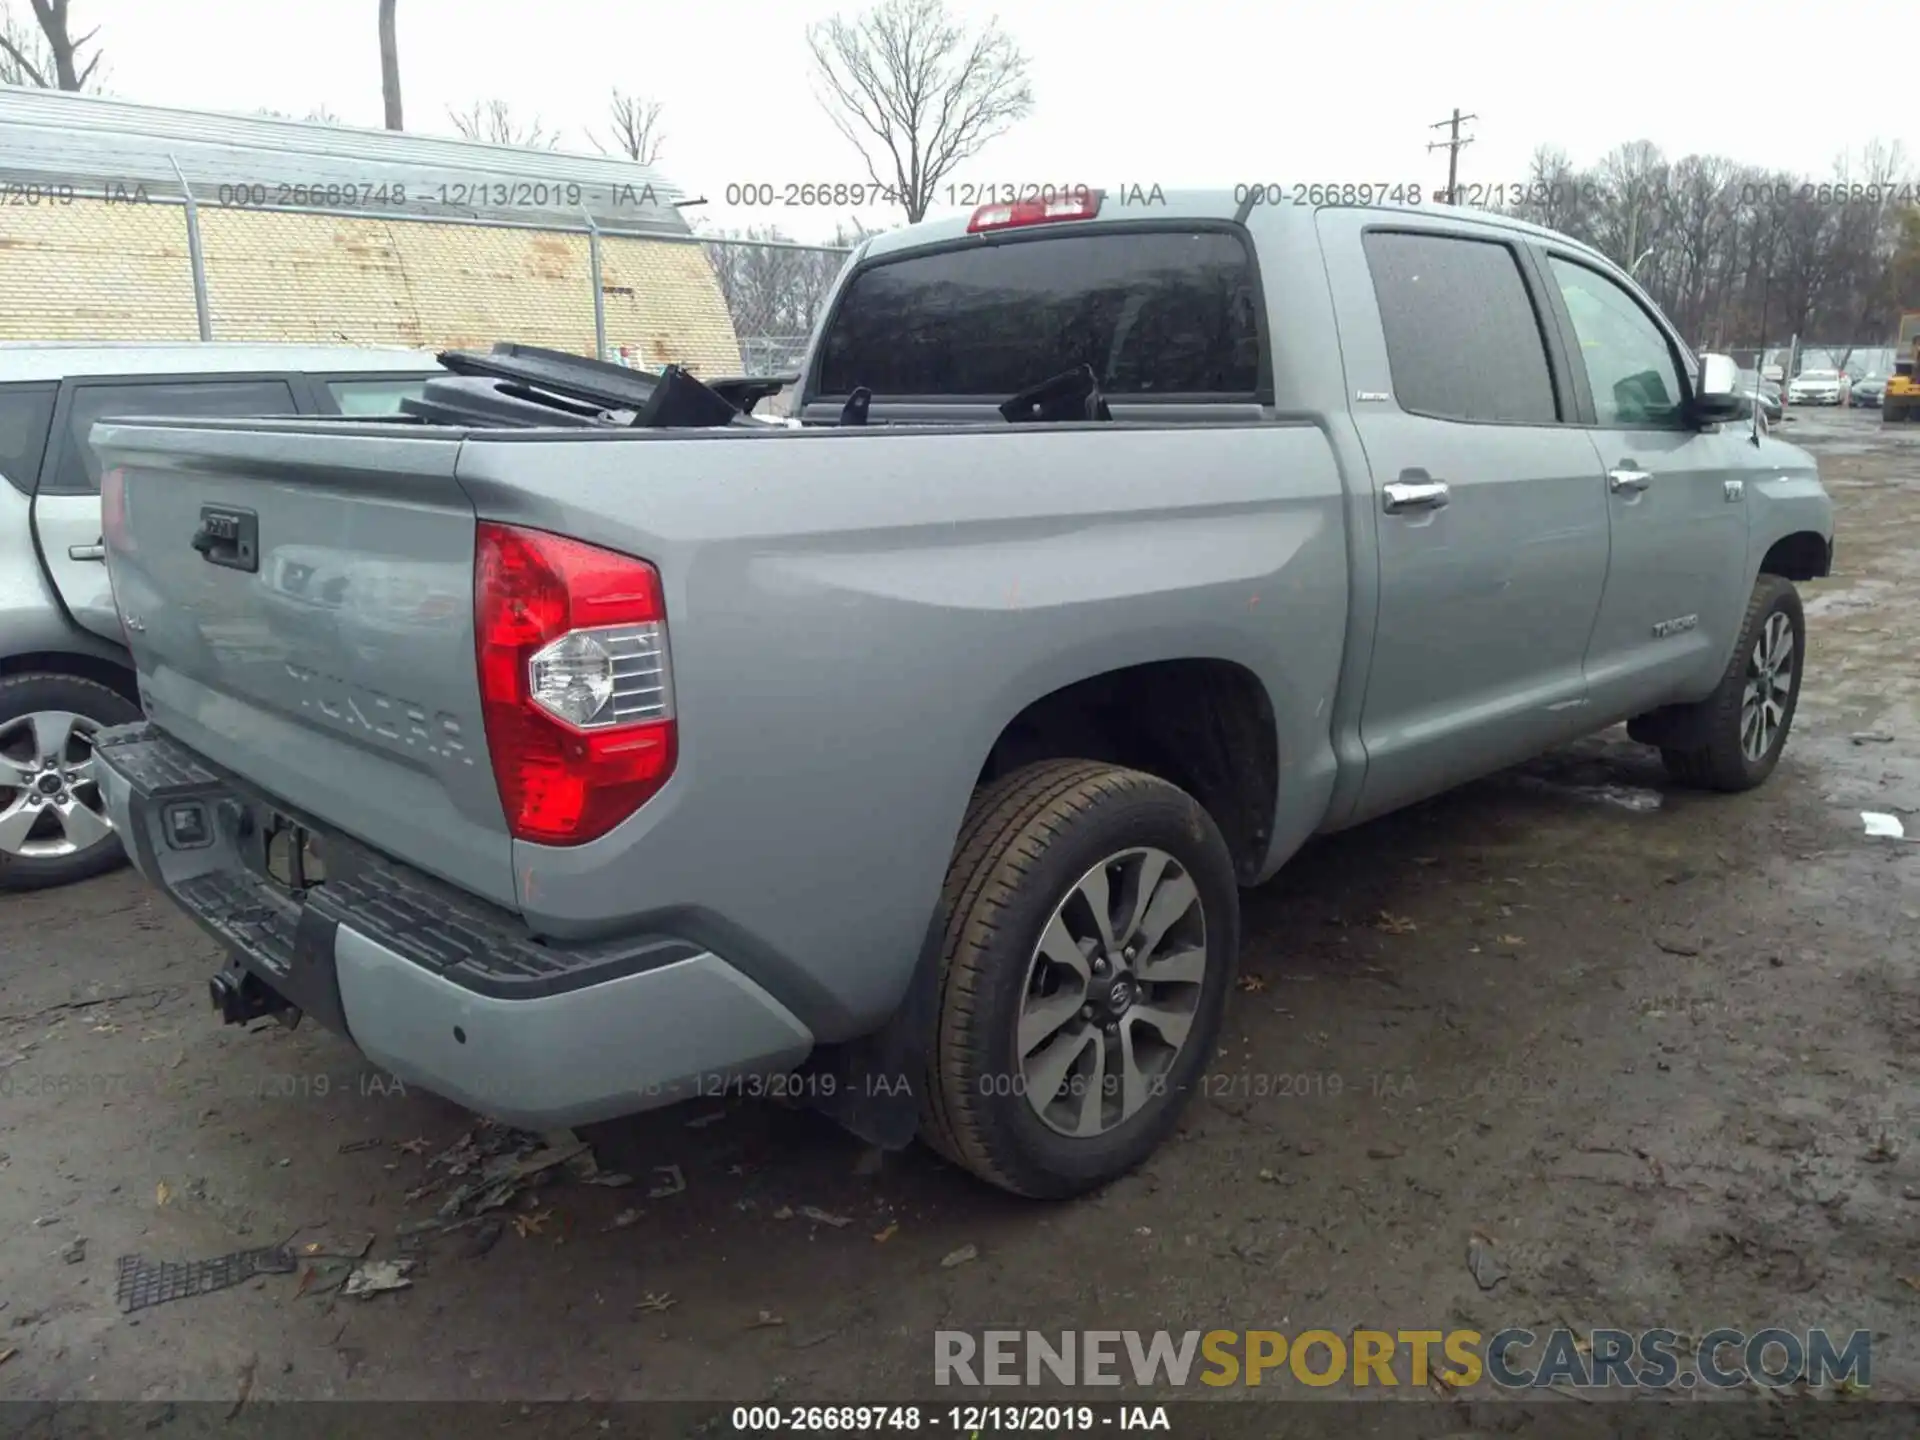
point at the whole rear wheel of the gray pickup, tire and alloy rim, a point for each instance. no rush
(1092, 940)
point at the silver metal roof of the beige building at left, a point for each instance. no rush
(87, 145)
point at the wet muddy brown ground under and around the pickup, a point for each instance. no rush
(1656, 1045)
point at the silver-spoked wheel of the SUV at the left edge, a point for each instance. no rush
(53, 821)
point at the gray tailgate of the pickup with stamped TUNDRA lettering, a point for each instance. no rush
(308, 625)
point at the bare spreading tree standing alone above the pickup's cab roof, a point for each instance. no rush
(915, 93)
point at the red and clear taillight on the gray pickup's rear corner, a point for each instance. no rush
(575, 683)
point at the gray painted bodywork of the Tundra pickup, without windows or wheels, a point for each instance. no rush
(855, 615)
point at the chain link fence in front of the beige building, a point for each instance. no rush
(95, 268)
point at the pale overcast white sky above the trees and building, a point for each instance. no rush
(1193, 93)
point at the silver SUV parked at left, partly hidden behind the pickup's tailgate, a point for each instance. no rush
(64, 667)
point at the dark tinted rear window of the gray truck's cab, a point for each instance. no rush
(1153, 314)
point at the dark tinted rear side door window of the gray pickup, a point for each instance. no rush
(1462, 333)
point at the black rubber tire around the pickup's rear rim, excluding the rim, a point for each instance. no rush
(1024, 848)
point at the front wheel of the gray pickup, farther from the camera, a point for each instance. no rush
(1744, 725)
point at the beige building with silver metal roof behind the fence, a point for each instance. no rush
(95, 239)
